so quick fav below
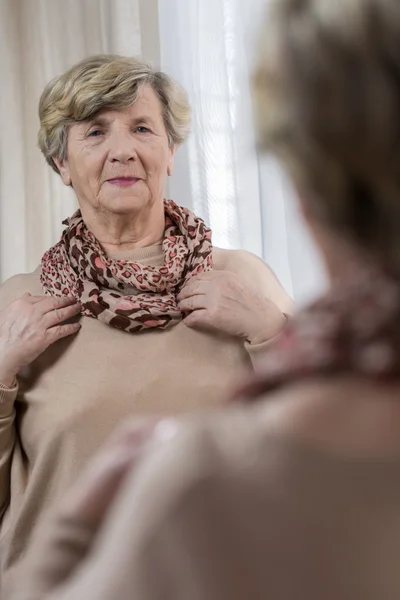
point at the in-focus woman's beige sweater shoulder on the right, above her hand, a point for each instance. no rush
(256, 273)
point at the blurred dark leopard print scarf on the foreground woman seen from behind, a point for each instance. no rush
(354, 329)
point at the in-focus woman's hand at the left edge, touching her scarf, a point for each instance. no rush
(28, 326)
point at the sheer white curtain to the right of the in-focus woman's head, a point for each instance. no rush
(209, 46)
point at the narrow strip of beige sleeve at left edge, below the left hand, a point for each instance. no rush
(7, 439)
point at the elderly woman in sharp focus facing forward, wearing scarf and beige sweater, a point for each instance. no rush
(133, 312)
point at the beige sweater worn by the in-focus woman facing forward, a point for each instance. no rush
(73, 396)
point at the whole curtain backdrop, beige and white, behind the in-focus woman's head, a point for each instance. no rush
(209, 47)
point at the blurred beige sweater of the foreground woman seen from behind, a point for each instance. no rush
(228, 510)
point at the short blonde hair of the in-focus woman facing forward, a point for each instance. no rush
(106, 81)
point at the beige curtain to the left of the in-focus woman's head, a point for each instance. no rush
(39, 39)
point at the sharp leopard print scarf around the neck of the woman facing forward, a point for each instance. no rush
(125, 295)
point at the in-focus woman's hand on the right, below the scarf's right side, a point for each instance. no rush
(222, 301)
